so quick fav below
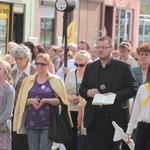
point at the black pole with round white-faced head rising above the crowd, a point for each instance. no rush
(65, 6)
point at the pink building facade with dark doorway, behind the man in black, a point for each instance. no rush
(116, 18)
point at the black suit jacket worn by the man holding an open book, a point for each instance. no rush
(121, 82)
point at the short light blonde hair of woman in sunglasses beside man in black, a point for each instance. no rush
(82, 55)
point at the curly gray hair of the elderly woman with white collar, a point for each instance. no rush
(22, 51)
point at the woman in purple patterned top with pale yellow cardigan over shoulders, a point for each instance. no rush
(33, 111)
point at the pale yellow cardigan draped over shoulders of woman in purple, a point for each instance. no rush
(21, 105)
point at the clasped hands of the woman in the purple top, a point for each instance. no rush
(37, 103)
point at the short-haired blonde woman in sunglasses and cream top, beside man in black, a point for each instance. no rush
(72, 83)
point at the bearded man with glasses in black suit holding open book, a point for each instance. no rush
(106, 75)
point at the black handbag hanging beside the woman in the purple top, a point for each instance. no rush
(60, 127)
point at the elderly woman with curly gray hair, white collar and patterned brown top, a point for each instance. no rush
(21, 69)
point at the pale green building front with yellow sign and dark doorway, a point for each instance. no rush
(16, 22)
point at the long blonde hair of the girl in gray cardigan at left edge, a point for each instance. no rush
(7, 69)
